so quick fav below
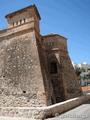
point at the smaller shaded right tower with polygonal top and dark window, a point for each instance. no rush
(62, 75)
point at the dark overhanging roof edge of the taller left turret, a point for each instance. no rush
(24, 9)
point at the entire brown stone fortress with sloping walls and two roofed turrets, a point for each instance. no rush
(35, 70)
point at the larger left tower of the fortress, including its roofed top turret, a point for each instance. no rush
(24, 79)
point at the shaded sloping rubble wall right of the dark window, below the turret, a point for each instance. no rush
(71, 84)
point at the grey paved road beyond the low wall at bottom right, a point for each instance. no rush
(81, 112)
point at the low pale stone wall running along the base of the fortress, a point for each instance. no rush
(43, 112)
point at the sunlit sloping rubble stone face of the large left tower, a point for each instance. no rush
(21, 82)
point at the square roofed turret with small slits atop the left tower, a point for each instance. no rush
(28, 15)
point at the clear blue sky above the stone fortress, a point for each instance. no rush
(69, 18)
